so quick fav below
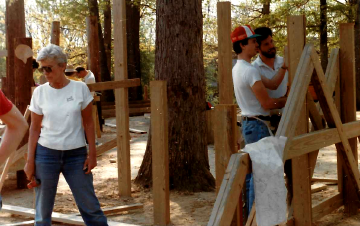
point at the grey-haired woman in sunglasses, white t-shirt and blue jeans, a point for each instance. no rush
(59, 109)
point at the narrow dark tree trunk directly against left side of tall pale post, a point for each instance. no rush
(107, 33)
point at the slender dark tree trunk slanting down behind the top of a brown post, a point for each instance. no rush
(107, 95)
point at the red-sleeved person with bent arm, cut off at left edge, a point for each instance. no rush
(16, 127)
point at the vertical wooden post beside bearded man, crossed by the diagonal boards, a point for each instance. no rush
(301, 179)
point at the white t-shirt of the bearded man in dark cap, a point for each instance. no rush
(269, 73)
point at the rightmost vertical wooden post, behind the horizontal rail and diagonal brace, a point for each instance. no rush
(348, 103)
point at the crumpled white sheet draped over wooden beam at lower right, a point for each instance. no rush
(268, 171)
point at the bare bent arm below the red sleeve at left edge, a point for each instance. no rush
(16, 127)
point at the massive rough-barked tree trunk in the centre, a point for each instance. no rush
(179, 61)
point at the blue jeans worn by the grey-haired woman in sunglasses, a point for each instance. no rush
(49, 163)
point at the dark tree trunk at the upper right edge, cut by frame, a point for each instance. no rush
(357, 55)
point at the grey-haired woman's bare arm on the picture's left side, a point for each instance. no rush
(34, 133)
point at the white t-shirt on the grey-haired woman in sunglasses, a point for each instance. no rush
(61, 126)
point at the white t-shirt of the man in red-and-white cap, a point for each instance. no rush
(244, 77)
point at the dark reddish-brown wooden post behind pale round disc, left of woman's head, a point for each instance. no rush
(23, 74)
